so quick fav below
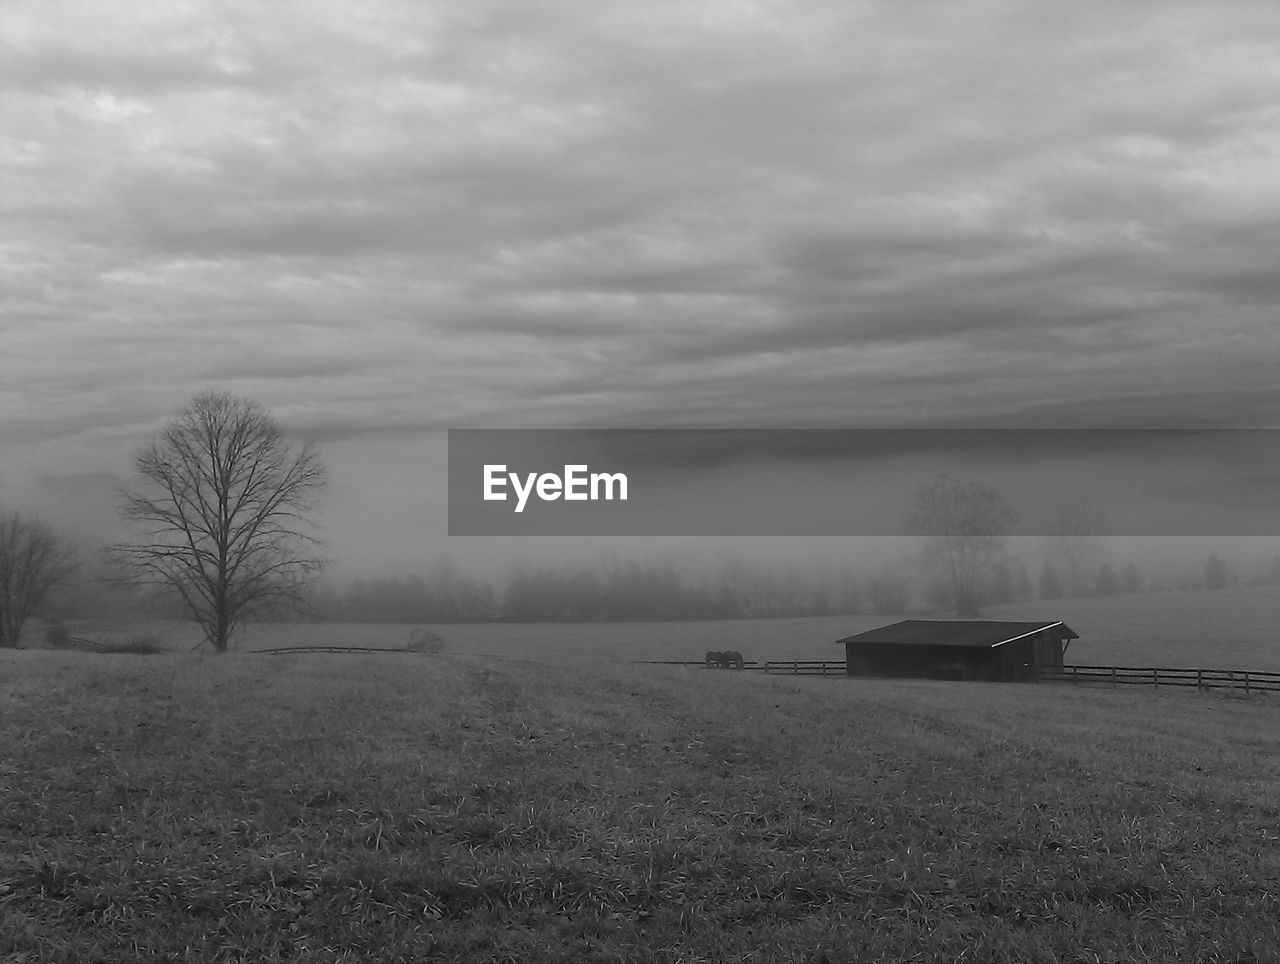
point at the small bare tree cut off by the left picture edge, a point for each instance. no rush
(33, 564)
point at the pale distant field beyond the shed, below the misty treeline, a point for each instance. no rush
(1223, 631)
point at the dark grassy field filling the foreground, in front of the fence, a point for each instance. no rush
(463, 808)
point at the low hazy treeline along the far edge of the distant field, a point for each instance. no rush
(656, 592)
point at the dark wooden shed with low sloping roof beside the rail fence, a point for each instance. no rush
(958, 650)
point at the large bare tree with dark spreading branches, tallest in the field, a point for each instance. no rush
(227, 523)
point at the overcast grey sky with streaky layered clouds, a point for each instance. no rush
(390, 220)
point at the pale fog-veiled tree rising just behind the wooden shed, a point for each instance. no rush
(964, 526)
